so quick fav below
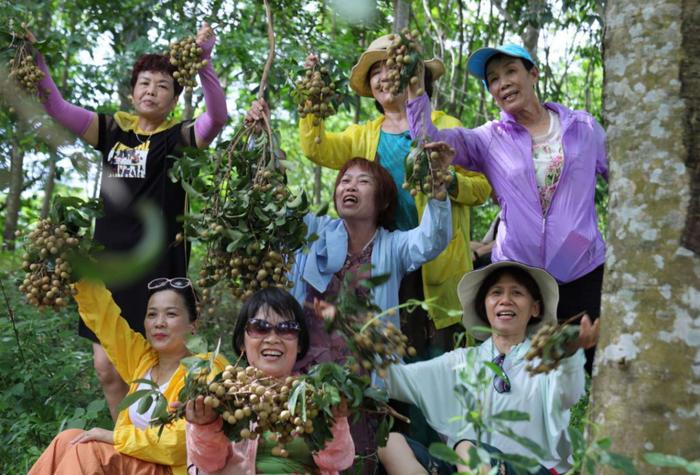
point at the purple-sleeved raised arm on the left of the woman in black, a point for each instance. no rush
(81, 122)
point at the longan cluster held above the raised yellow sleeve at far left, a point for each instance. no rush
(48, 279)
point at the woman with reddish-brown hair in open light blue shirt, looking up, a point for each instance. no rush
(359, 245)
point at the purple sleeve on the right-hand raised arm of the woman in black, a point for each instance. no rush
(209, 124)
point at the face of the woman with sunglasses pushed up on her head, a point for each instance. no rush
(167, 322)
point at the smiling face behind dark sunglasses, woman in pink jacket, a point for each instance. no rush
(272, 354)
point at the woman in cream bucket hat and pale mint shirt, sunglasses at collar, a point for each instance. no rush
(514, 300)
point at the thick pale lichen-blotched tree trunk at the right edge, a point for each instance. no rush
(647, 369)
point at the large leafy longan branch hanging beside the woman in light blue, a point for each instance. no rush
(252, 224)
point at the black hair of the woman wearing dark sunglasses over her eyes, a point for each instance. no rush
(283, 303)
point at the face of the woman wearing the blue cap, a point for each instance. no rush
(511, 84)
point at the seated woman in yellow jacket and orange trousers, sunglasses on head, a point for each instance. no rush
(133, 446)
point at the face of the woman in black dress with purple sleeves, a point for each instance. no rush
(153, 95)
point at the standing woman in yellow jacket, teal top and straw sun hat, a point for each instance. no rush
(387, 140)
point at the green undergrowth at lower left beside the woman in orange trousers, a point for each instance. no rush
(46, 375)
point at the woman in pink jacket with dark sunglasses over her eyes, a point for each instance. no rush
(271, 334)
